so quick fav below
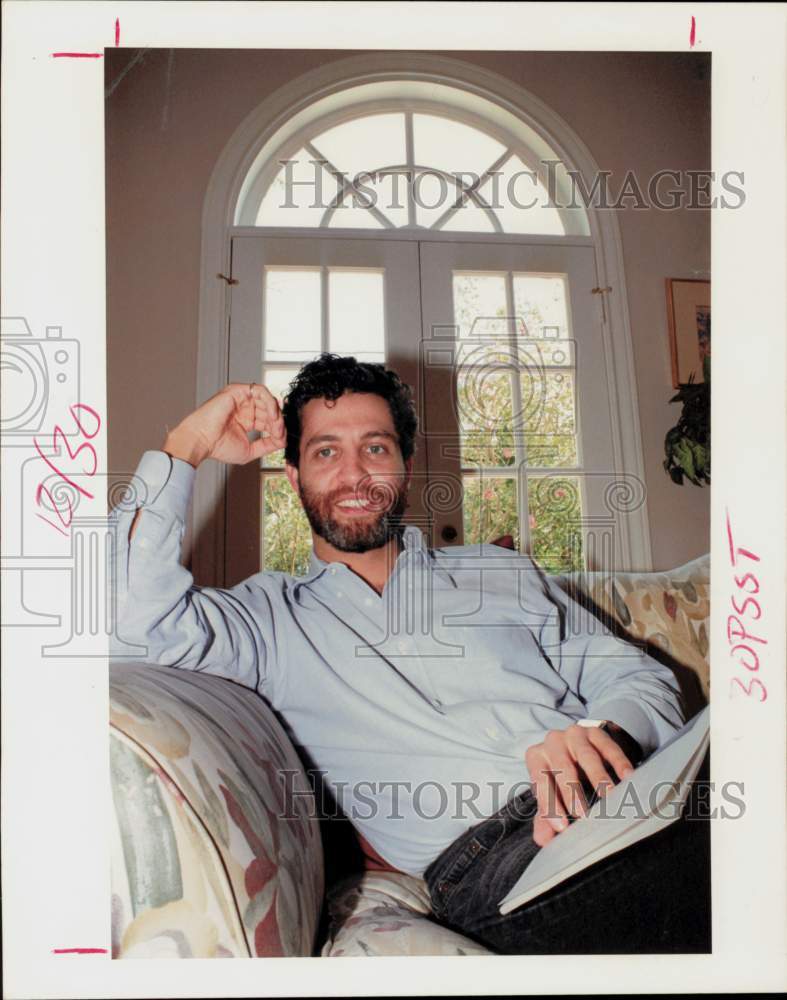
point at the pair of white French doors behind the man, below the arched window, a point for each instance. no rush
(503, 346)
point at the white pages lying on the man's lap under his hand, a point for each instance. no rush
(638, 806)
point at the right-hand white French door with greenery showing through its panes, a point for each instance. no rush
(513, 338)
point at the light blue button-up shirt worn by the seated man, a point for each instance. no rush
(416, 706)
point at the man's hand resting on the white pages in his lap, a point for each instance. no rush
(560, 764)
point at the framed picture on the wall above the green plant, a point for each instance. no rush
(688, 315)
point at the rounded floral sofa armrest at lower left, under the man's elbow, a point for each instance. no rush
(213, 853)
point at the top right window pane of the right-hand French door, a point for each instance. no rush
(540, 303)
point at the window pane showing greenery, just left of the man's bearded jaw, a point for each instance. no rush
(286, 532)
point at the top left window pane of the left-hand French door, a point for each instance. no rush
(292, 314)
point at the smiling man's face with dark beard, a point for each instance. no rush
(352, 480)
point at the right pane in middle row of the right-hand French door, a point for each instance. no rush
(549, 417)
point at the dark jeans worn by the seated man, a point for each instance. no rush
(650, 898)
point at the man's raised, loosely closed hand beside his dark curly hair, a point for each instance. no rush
(219, 428)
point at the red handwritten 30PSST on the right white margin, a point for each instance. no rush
(745, 645)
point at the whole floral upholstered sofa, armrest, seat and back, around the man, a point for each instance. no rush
(209, 861)
